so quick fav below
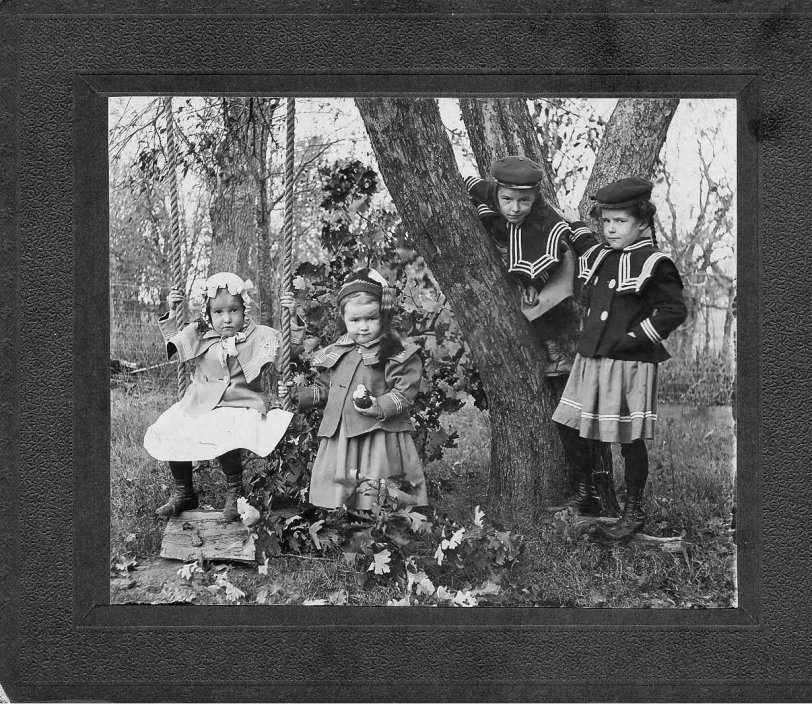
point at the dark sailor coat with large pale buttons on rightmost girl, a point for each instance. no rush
(634, 290)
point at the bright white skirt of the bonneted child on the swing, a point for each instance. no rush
(178, 437)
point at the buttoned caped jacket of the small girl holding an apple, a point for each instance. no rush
(346, 365)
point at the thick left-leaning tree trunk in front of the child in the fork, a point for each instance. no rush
(416, 160)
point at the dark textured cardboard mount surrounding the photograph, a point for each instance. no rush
(64, 639)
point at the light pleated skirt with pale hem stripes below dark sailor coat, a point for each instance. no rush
(611, 400)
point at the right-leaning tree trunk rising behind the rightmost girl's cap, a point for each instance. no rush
(634, 136)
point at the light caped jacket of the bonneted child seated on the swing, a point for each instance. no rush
(227, 370)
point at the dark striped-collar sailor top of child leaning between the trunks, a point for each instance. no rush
(533, 250)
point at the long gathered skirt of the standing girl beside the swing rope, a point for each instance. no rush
(347, 470)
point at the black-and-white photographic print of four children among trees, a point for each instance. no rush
(463, 489)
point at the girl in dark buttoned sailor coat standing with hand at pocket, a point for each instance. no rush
(635, 294)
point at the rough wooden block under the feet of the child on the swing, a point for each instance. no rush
(196, 534)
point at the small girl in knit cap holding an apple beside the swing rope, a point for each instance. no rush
(368, 380)
